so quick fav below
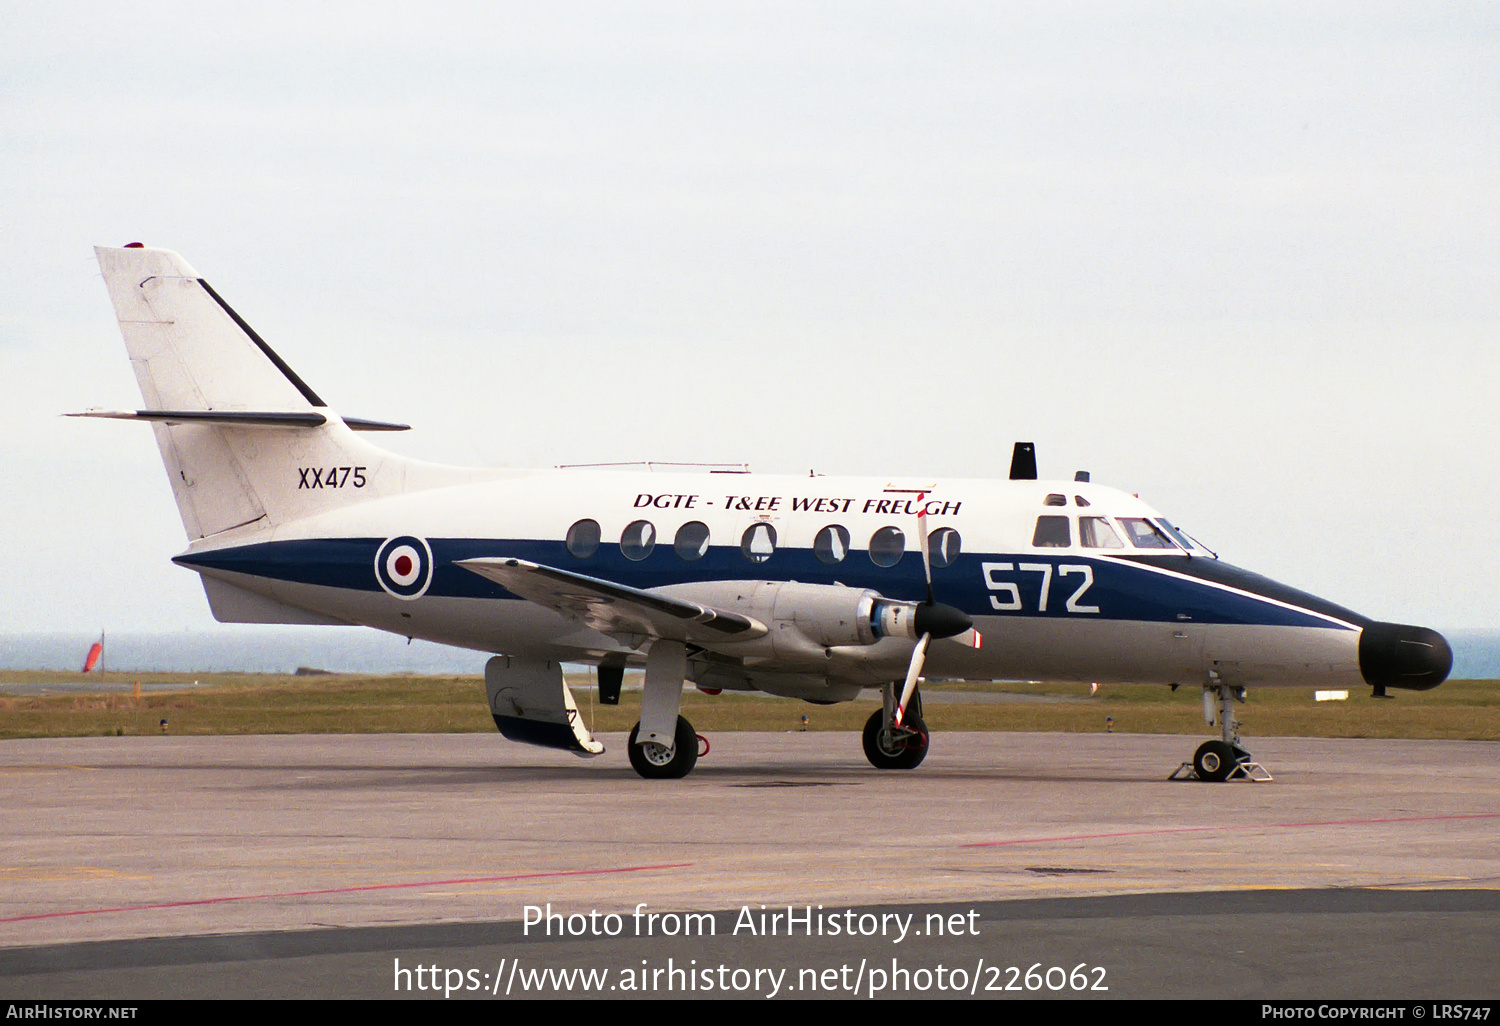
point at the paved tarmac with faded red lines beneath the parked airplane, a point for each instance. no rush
(320, 866)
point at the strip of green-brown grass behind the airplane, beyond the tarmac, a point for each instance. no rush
(230, 704)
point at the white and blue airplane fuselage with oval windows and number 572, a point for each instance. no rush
(1064, 580)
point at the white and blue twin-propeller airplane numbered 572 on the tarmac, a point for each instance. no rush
(811, 589)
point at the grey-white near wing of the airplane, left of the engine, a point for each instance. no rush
(616, 610)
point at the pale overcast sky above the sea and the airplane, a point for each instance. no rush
(1240, 259)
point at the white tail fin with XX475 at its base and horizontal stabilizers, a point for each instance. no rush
(247, 443)
